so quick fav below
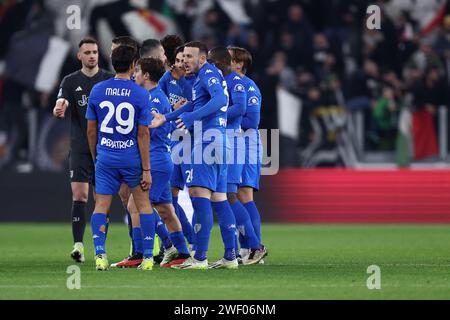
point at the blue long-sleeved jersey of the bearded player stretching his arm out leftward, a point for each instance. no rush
(210, 80)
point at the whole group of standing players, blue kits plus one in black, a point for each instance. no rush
(173, 115)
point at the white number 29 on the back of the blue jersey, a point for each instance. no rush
(125, 125)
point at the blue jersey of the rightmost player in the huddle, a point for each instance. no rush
(254, 100)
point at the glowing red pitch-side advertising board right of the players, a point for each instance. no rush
(356, 196)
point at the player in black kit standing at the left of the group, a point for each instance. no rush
(73, 95)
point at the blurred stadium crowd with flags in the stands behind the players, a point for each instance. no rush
(334, 88)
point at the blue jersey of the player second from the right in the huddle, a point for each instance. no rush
(236, 92)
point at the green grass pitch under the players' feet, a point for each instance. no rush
(304, 262)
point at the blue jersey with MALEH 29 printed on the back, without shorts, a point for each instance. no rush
(119, 106)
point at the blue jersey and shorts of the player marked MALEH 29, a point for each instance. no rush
(119, 106)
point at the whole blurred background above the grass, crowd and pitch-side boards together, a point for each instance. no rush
(359, 102)
